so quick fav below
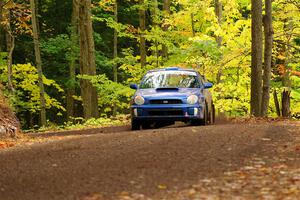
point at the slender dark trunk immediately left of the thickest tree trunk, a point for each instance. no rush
(74, 56)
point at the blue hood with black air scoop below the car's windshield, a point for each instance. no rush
(157, 93)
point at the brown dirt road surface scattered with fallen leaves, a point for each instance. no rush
(242, 161)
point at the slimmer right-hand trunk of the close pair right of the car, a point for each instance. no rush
(268, 31)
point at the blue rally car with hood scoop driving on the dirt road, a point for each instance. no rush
(171, 94)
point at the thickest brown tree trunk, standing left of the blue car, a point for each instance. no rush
(87, 60)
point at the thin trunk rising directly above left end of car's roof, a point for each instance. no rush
(142, 19)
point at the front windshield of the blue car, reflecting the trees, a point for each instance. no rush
(170, 79)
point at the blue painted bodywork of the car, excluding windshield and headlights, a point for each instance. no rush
(170, 103)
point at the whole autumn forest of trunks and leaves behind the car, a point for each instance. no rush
(70, 62)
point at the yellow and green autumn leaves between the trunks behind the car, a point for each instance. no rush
(226, 65)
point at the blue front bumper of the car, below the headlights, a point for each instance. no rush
(182, 112)
